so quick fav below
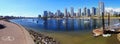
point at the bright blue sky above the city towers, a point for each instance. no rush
(31, 8)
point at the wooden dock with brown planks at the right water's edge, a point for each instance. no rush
(112, 29)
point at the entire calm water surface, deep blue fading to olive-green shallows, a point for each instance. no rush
(69, 31)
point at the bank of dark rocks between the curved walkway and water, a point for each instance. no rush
(42, 39)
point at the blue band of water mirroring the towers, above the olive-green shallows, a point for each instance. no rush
(65, 24)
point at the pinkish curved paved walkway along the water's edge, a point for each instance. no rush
(14, 34)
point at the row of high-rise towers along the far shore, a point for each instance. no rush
(86, 12)
